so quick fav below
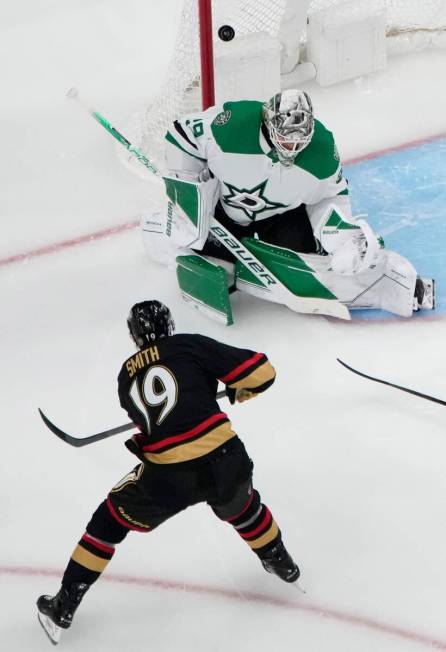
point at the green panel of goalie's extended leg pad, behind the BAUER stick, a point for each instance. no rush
(287, 266)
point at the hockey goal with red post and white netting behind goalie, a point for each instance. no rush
(189, 83)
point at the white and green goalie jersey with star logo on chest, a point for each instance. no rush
(232, 142)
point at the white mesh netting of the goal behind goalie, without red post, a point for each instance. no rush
(411, 25)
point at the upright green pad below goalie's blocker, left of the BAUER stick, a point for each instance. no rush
(206, 286)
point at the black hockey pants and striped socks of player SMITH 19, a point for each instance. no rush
(152, 493)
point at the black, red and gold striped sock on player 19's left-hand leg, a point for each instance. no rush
(95, 549)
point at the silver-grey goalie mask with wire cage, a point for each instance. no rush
(289, 119)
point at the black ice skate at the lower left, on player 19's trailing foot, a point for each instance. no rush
(56, 612)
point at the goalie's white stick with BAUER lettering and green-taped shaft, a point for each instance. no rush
(269, 281)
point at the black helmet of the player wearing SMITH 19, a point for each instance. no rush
(149, 320)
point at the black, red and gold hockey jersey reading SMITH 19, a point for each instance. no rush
(169, 391)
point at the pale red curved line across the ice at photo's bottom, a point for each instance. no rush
(315, 610)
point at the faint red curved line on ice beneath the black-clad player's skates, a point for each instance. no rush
(301, 603)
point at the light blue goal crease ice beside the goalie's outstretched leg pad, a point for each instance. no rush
(404, 193)
